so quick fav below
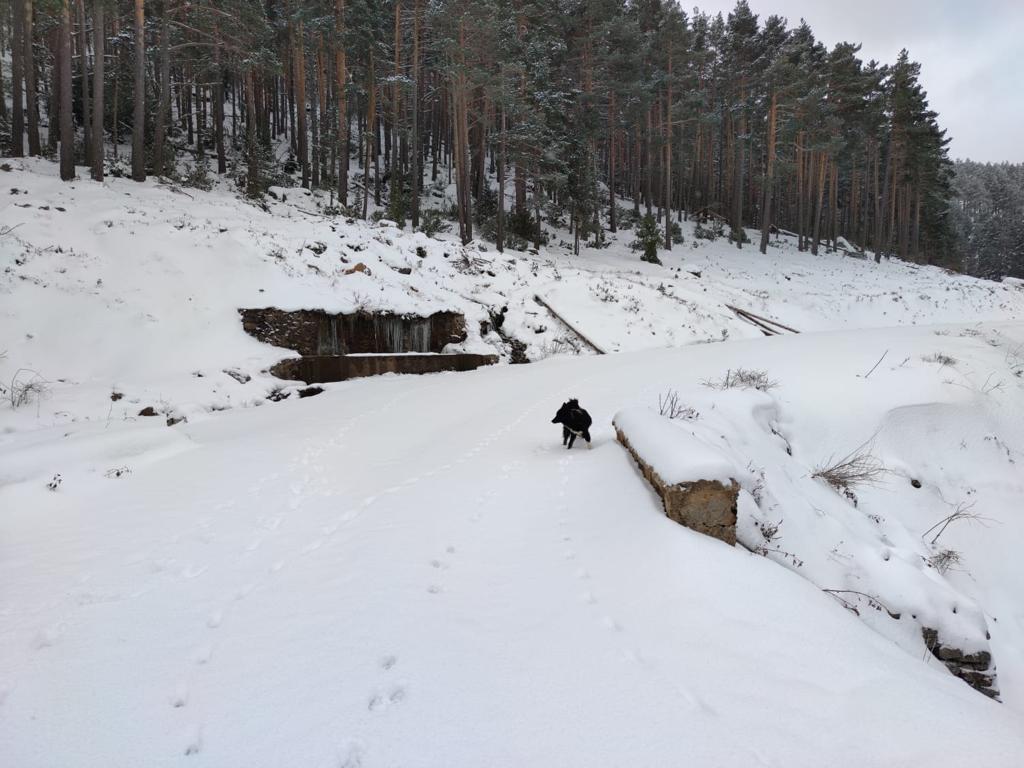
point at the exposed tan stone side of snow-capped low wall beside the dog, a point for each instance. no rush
(706, 506)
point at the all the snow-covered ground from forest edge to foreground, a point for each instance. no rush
(412, 571)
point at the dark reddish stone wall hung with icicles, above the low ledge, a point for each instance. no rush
(315, 332)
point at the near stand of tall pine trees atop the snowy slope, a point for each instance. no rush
(596, 115)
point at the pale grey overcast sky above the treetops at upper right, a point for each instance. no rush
(971, 55)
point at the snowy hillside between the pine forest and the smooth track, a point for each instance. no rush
(136, 289)
